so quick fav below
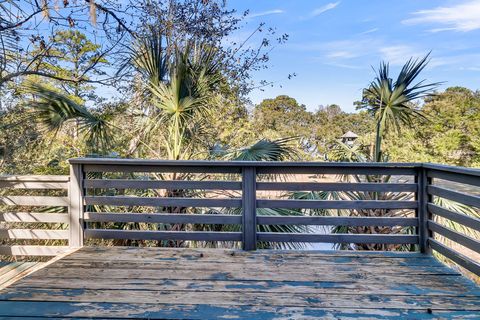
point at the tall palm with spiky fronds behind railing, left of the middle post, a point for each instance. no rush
(181, 90)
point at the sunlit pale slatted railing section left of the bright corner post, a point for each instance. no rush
(34, 215)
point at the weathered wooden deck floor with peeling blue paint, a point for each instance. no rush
(122, 282)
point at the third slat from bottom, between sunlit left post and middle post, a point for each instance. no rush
(162, 202)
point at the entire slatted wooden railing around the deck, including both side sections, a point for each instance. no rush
(106, 192)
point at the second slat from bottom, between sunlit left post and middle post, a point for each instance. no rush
(162, 218)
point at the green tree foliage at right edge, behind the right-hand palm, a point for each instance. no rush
(449, 137)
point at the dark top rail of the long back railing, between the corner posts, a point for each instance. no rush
(209, 163)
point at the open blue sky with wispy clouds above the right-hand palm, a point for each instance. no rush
(333, 44)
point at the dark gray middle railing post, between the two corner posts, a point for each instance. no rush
(249, 208)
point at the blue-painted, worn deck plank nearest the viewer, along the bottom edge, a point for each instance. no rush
(63, 310)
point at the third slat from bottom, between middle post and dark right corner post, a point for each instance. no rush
(337, 204)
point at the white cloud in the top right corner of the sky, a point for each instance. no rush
(462, 17)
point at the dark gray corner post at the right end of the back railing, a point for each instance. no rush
(422, 212)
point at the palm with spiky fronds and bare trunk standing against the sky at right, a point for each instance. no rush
(392, 102)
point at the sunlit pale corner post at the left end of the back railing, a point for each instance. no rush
(75, 208)
